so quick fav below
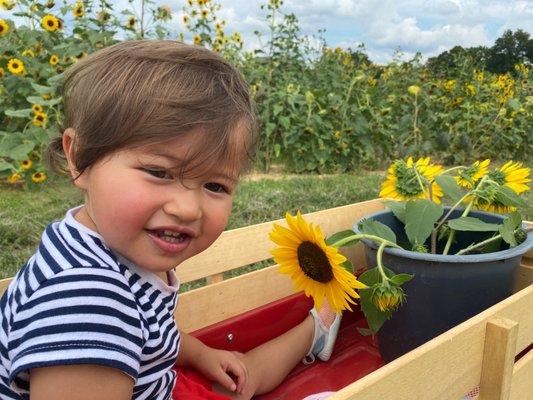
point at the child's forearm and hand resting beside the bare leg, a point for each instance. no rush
(212, 363)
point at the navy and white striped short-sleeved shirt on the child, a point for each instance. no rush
(77, 302)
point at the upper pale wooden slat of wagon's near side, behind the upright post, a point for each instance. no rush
(448, 366)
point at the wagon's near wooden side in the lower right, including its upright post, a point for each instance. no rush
(480, 351)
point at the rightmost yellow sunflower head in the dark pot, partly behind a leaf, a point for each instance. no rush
(512, 175)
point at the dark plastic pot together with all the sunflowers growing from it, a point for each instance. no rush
(435, 265)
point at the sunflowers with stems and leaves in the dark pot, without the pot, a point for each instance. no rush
(414, 191)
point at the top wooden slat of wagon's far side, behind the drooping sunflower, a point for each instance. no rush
(251, 244)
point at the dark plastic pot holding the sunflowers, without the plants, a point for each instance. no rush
(446, 289)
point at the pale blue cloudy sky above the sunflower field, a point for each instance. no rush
(383, 26)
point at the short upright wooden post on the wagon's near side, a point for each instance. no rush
(498, 359)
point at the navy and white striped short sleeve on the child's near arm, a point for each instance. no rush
(84, 315)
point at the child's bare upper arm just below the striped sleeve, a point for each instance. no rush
(80, 382)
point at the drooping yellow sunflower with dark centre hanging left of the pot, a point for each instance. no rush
(313, 266)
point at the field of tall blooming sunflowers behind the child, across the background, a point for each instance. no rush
(320, 109)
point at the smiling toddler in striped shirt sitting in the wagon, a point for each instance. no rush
(156, 135)
